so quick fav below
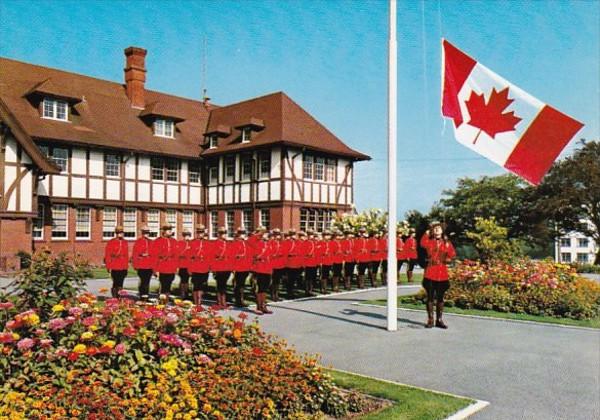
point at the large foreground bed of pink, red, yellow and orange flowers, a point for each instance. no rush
(117, 359)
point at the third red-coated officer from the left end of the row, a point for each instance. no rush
(165, 254)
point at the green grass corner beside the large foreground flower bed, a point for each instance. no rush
(408, 402)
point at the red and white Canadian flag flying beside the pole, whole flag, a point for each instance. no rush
(501, 121)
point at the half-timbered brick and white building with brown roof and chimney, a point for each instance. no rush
(79, 155)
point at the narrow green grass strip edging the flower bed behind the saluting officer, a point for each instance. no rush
(591, 323)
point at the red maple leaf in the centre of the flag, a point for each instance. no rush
(491, 117)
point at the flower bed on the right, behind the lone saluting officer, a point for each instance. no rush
(527, 286)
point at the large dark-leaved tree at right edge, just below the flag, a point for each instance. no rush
(569, 195)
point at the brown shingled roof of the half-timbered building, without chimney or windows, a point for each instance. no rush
(102, 115)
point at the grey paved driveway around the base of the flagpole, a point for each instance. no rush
(526, 371)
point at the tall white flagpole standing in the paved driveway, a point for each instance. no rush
(392, 274)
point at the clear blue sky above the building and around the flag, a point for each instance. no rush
(330, 56)
